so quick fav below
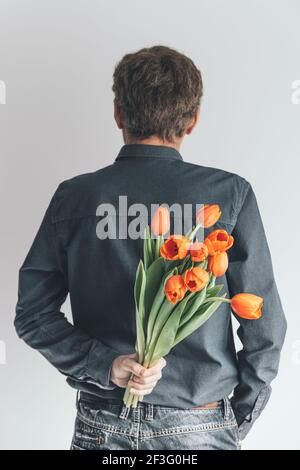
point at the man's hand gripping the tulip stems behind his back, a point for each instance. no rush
(143, 381)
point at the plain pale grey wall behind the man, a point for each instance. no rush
(56, 60)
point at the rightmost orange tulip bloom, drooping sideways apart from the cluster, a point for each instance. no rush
(247, 306)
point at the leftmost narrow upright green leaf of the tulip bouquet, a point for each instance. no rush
(139, 292)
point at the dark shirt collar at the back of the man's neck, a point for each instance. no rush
(148, 150)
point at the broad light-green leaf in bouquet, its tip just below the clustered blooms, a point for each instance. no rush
(167, 335)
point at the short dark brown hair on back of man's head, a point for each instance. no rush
(158, 90)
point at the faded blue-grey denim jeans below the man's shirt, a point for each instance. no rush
(106, 425)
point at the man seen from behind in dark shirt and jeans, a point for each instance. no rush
(186, 406)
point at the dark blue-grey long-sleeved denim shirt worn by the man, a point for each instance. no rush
(67, 257)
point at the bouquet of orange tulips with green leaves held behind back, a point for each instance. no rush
(175, 289)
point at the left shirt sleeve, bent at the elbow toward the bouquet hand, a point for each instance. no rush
(43, 288)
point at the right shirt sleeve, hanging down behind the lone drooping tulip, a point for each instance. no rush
(250, 270)
